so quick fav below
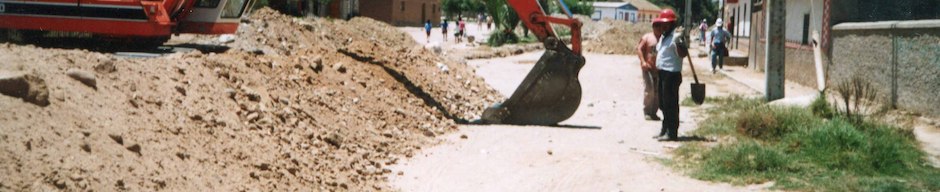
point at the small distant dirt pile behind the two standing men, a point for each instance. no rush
(620, 38)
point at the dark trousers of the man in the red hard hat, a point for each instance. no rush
(669, 102)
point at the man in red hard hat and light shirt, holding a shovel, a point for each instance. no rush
(670, 50)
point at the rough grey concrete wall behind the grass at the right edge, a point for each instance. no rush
(901, 59)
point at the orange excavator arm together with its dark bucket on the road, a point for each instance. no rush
(551, 92)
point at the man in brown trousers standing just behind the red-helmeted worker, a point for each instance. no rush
(646, 50)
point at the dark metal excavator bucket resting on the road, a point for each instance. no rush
(549, 94)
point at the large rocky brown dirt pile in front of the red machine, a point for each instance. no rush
(295, 105)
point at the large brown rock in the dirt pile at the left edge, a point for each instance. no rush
(24, 86)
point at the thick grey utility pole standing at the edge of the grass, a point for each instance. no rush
(775, 50)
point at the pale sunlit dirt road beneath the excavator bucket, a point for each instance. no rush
(605, 146)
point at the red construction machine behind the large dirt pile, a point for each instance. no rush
(143, 21)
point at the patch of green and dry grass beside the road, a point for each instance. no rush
(802, 149)
